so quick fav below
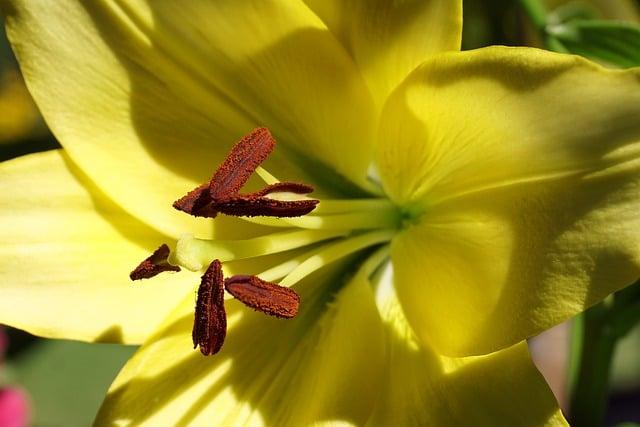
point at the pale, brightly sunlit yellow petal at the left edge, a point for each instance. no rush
(66, 255)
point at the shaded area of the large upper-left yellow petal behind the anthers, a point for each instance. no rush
(191, 97)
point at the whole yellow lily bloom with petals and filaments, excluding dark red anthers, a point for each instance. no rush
(468, 200)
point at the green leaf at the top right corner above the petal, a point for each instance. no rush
(614, 43)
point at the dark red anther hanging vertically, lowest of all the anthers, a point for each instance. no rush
(210, 322)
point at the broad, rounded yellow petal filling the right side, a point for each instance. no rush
(525, 167)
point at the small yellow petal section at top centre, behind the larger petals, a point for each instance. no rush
(389, 39)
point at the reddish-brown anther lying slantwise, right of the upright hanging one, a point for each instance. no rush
(264, 296)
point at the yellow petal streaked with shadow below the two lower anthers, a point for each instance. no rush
(322, 366)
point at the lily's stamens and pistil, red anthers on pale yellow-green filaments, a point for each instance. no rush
(329, 229)
